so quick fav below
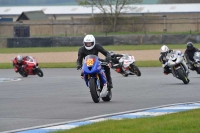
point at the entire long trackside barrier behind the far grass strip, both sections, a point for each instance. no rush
(114, 40)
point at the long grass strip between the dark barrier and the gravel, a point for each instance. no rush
(75, 49)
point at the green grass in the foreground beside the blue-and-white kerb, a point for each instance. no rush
(183, 122)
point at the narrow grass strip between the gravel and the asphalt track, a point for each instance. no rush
(73, 64)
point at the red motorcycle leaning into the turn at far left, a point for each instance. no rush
(30, 67)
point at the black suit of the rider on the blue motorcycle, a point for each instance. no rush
(83, 52)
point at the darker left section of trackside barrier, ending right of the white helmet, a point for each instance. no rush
(54, 41)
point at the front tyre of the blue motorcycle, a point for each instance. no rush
(94, 90)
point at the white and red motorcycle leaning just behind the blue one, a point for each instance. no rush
(128, 65)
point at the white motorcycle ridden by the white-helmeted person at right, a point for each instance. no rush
(178, 66)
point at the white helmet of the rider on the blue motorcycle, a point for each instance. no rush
(89, 42)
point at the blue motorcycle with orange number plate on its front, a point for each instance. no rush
(95, 78)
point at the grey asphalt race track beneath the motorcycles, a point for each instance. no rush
(61, 95)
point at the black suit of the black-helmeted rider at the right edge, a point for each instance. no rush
(189, 57)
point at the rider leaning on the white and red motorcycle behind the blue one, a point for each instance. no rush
(116, 64)
